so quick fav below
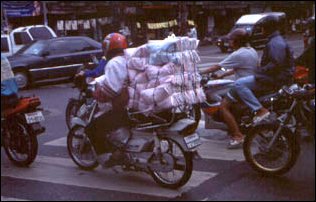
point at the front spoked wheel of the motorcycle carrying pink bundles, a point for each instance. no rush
(80, 148)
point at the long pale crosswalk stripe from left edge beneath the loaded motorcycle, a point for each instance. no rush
(64, 171)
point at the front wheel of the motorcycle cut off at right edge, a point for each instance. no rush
(287, 143)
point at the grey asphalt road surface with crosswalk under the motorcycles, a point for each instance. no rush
(221, 174)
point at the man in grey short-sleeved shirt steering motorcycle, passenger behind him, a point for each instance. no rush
(242, 62)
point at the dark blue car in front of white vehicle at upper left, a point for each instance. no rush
(53, 58)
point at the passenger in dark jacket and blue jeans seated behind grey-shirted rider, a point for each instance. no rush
(276, 69)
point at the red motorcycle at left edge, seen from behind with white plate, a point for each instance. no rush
(20, 126)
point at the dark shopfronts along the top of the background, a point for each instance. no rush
(145, 20)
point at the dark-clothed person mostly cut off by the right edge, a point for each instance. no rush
(307, 58)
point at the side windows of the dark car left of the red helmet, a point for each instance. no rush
(70, 46)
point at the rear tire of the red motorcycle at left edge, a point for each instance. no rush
(20, 140)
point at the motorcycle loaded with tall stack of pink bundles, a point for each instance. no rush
(162, 147)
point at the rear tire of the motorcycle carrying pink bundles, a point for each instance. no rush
(187, 169)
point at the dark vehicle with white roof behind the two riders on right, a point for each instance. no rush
(252, 23)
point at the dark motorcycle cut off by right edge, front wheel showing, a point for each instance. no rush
(273, 148)
